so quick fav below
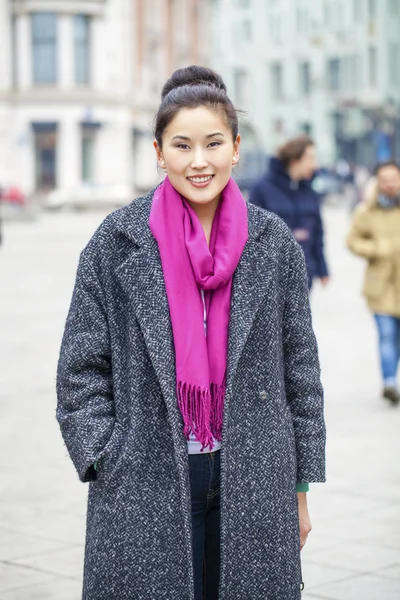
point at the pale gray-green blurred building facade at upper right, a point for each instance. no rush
(329, 68)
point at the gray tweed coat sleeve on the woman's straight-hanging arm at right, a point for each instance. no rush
(302, 373)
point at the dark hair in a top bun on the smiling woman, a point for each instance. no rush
(192, 87)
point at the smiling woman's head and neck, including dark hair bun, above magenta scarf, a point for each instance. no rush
(196, 138)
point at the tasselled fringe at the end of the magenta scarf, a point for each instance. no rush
(202, 412)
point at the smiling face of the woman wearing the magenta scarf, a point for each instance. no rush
(198, 153)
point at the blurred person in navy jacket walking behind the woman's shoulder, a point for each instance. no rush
(286, 191)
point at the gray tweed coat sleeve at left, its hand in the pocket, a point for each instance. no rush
(85, 409)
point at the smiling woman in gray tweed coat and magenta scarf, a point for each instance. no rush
(188, 383)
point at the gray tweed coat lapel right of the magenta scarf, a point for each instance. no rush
(250, 284)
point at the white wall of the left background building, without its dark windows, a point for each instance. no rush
(106, 100)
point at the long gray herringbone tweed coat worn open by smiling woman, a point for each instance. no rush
(117, 406)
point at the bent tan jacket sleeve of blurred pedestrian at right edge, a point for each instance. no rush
(361, 240)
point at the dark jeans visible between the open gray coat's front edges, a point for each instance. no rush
(205, 493)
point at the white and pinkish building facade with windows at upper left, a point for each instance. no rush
(79, 86)
